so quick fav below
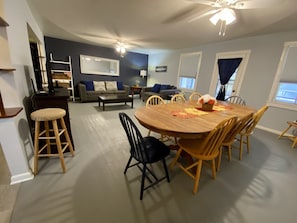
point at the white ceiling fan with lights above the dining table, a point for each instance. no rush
(224, 10)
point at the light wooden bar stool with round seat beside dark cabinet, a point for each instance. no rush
(51, 134)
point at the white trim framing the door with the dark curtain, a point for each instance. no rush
(244, 54)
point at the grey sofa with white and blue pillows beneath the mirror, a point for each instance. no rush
(90, 90)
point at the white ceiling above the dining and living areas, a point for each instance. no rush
(149, 26)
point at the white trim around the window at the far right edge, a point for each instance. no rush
(279, 71)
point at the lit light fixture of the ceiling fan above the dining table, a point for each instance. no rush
(226, 16)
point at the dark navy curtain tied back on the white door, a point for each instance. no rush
(227, 68)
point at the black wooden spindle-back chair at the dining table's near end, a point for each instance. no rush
(144, 150)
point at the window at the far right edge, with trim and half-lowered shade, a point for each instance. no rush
(284, 89)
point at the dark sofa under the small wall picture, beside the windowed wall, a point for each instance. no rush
(163, 90)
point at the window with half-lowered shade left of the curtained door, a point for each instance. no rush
(189, 65)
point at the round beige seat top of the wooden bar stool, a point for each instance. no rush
(48, 114)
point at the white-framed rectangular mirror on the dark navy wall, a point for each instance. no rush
(99, 65)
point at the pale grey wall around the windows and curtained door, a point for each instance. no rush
(266, 51)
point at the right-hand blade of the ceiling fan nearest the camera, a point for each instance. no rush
(254, 4)
